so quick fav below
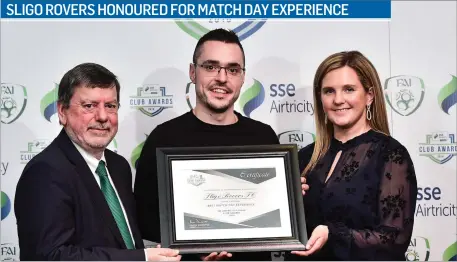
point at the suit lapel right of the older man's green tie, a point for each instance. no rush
(125, 194)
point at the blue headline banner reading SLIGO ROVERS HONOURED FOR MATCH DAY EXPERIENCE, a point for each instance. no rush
(177, 9)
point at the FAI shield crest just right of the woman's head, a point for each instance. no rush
(404, 93)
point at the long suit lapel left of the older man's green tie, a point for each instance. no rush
(91, 185)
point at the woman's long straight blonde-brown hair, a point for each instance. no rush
(369, 78)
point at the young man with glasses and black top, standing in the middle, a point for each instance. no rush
(218, 72)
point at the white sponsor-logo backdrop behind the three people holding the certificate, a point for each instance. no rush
(414, 53)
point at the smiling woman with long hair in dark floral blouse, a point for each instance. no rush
(362, 185)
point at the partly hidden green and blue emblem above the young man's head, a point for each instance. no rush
(242, 29)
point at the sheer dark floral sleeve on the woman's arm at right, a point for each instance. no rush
(396, 206)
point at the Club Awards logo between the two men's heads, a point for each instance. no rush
(151, 99)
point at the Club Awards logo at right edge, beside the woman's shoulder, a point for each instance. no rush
(439, 147)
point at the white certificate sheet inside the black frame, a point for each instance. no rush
(230, 198)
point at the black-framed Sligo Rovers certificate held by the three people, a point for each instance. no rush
(234, 199)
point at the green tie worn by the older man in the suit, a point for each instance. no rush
(114, 204)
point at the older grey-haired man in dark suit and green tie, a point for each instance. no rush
(74, 200)
